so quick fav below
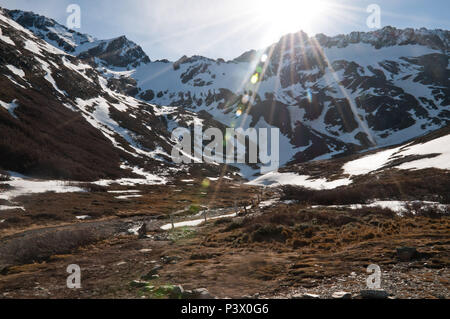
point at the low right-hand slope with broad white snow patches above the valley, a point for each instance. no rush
(427, 157)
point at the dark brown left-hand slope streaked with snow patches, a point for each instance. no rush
(59, 119)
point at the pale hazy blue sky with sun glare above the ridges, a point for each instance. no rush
(227, 28)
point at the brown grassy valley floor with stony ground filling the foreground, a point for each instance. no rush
(281, 250)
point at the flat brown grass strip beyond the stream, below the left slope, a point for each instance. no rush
(157, 200)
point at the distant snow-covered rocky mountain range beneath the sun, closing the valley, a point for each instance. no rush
(328, 95)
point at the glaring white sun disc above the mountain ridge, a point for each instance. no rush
(286, 16)
